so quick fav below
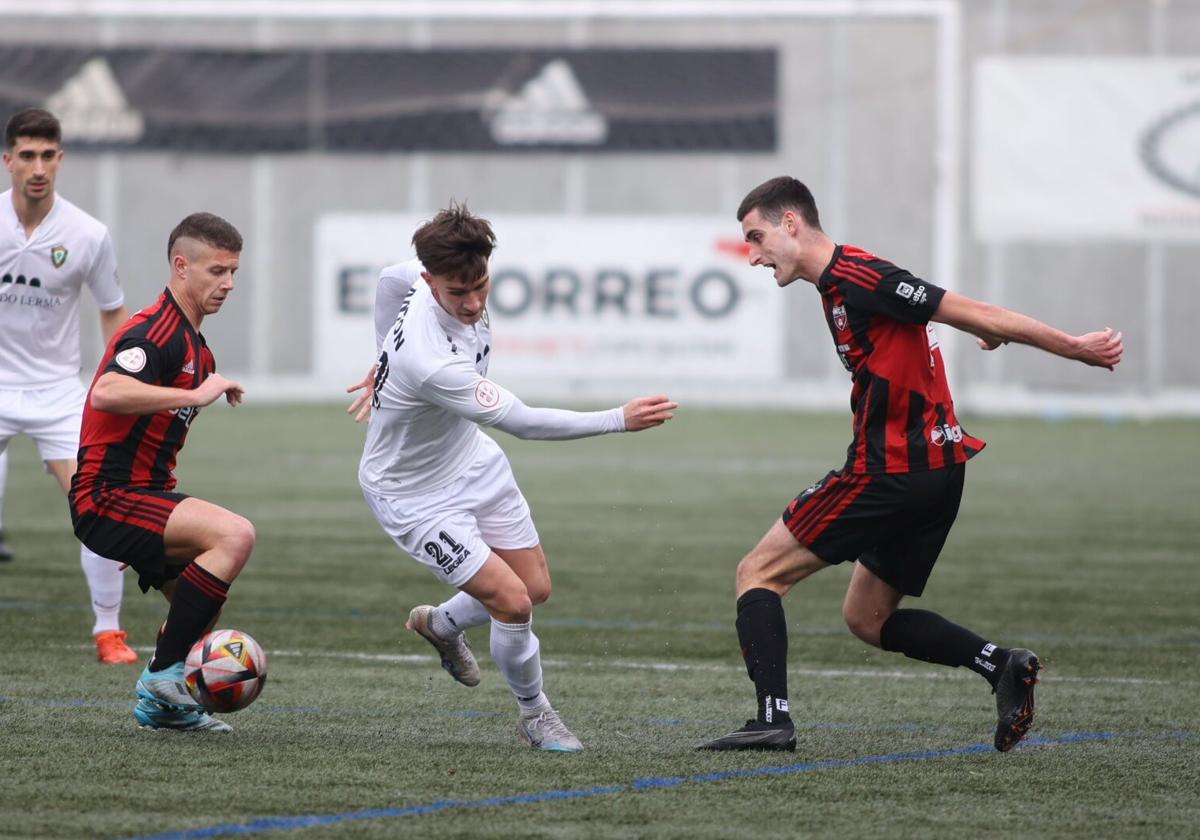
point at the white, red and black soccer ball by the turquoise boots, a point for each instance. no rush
(225, 671)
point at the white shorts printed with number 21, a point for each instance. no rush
(453, 531)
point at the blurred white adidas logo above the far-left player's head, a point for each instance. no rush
(93, 109)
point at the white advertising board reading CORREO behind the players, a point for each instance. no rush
(577, 302)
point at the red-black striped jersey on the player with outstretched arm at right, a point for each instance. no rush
(879, 317)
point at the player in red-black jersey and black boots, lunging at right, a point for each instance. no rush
(890, 508)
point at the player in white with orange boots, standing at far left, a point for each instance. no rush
(50, 249)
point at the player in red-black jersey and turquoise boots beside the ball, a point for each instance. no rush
(157, 375)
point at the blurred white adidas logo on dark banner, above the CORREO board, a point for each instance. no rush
(550, 109)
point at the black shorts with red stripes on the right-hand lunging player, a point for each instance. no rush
(893, 525)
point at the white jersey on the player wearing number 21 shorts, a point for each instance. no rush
(431, 391)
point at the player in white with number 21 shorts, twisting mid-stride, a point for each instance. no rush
(441, 488)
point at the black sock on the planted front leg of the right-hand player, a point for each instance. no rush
(763, 633)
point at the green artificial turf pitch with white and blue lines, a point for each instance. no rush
(1077, 539)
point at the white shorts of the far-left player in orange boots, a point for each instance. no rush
(51, 416)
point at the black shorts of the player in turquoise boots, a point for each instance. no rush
(127, 525)
